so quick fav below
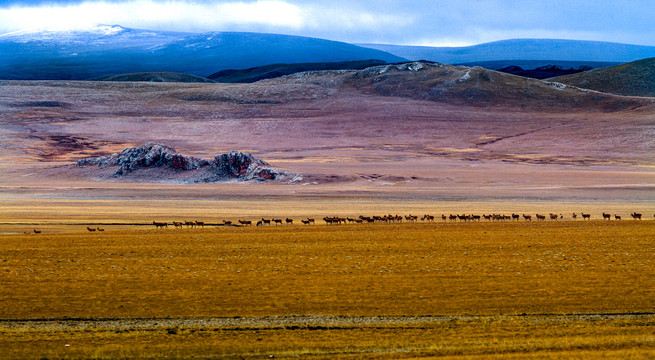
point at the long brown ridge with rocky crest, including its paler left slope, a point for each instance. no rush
(421, 80)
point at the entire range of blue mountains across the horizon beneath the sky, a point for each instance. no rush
(116, 53)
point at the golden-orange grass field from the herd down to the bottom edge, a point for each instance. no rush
(549, 289)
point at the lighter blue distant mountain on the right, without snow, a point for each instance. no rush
(553, 50)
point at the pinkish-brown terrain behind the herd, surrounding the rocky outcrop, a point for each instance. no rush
(414, 132)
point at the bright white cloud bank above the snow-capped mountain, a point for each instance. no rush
(175, 14)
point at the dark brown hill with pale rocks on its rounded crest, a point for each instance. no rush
(478, 87)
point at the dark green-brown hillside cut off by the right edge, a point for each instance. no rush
(636, 78)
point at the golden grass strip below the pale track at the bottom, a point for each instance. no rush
(554, 336)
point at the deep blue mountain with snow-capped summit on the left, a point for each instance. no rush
(111, 49)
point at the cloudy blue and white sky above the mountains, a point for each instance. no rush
(404, 22)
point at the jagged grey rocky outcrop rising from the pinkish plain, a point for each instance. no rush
(157, 162)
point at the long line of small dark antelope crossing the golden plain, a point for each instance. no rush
(335, 220)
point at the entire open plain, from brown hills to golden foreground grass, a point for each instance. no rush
(409, 139)
